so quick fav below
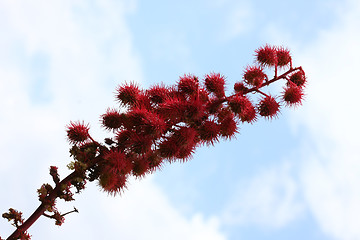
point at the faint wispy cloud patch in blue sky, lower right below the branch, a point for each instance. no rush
(268, 200)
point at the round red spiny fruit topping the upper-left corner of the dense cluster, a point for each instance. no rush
(128, 94)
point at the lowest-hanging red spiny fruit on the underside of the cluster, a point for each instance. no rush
(112, 183)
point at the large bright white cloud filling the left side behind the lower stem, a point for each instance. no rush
(88, 50)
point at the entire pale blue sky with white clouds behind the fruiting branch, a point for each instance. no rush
(294, 177)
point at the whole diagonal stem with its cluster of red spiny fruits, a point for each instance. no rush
(165, 124)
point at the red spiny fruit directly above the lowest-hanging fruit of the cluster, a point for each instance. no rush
(117, 162)
